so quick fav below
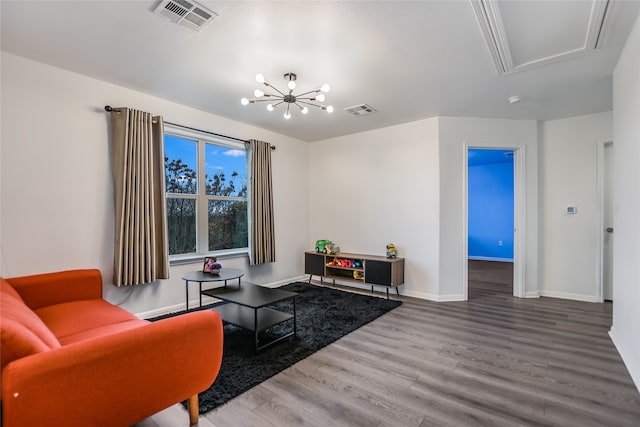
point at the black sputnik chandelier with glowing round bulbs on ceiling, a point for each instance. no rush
(314, 97)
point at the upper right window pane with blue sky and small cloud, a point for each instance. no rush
(226, 171)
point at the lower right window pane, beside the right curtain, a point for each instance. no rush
(227, 225)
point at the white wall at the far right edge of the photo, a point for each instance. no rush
(626, 264)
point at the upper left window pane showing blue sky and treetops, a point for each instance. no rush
(180, 165)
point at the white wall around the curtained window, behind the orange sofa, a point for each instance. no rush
(57, 195)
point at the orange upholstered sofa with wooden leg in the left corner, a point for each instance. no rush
(71, 358)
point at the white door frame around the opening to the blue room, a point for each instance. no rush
(519, 217)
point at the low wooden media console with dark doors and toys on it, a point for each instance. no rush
(366, 269)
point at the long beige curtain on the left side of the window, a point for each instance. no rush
(141, 248)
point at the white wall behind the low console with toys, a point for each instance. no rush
(379, 187)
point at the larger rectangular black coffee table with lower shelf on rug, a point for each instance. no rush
(248, 309)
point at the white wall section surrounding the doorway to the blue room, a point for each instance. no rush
(456, 133)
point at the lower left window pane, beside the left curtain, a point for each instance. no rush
(181, 224)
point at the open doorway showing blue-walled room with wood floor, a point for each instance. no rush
(493, 189)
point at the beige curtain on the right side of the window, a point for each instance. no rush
(263, 247)
